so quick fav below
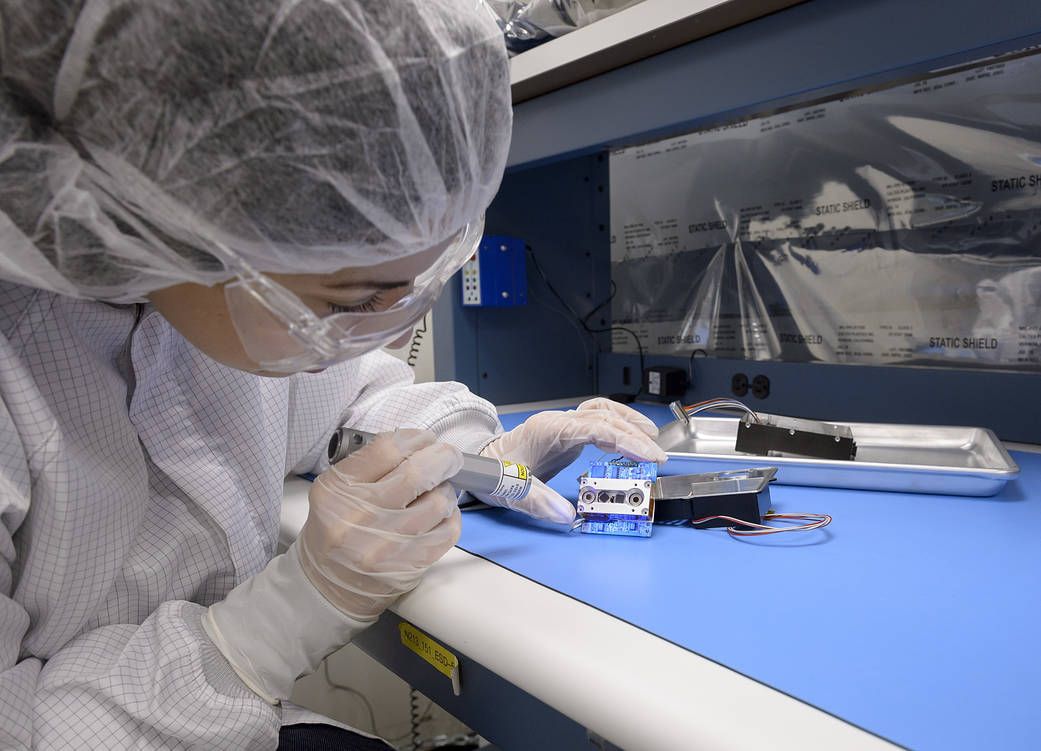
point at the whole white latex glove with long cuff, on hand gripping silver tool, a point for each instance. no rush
(377, 521)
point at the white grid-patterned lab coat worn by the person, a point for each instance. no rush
(140, 482)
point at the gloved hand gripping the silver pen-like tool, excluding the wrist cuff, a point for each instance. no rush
(379, 519)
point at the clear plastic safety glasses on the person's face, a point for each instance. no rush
(283, 335)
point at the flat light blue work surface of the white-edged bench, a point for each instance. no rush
(913, 617)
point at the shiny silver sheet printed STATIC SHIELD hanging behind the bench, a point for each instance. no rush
(900, 227)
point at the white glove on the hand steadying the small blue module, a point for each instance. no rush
(549, 442)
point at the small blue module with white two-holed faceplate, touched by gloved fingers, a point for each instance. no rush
(616, 498)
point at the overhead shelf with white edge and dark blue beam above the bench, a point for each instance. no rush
(818, 48)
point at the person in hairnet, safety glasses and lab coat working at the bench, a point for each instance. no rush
(195, 197)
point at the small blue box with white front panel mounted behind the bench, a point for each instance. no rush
(497, 276)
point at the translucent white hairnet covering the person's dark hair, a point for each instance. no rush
(304, 136)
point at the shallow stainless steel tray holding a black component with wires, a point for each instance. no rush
(909, 459)
